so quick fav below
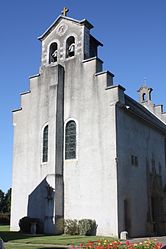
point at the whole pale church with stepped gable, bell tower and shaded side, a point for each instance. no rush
(83, 149)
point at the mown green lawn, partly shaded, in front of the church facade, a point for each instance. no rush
(27, 241)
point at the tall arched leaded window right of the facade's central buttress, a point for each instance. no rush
(70, 140)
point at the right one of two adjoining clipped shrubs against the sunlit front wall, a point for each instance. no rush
(87, 227)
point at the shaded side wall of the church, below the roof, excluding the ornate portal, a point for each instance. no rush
(140, 148)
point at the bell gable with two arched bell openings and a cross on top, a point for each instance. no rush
(67, 39)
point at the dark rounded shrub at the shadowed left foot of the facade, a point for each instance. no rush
(25, 224)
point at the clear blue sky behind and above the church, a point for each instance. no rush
(133, 33)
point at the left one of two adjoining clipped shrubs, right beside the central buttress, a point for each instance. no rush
(71, 227)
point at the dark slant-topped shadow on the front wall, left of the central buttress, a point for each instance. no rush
(41, 204)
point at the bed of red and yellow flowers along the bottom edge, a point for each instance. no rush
(105, 244)
